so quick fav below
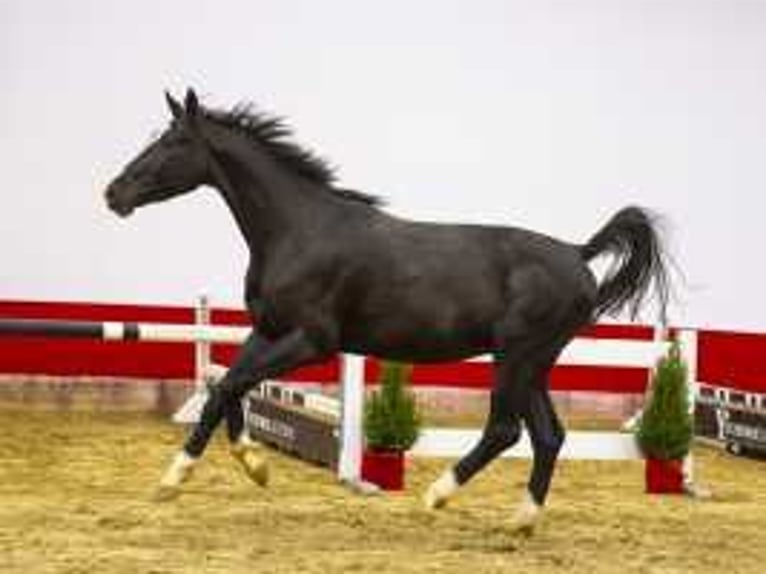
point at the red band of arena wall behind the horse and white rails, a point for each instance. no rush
(735, 360)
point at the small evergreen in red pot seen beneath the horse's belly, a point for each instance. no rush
(391, 426)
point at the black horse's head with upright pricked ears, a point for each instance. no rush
(174, 164)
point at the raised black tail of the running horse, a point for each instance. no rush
(631, 236)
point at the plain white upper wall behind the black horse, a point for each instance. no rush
(546, 114)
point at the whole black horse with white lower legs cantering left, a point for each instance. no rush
(330, 271)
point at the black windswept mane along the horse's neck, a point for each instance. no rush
(275, 136)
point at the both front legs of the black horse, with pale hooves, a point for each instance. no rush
(259, 358)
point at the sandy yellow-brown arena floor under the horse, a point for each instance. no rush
(75, 497)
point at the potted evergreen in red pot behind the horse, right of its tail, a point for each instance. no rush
(665, 430)
